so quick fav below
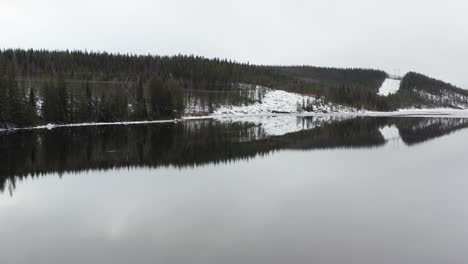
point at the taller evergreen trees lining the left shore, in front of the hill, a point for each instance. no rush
(56, 101)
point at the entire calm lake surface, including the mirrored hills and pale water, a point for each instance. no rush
(324, 190)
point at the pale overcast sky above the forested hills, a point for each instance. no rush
(430, 37)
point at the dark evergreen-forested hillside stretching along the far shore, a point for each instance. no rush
(39, 87)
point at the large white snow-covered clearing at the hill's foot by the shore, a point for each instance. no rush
(277, 101)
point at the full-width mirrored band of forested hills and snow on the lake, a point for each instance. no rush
(197, 142)
